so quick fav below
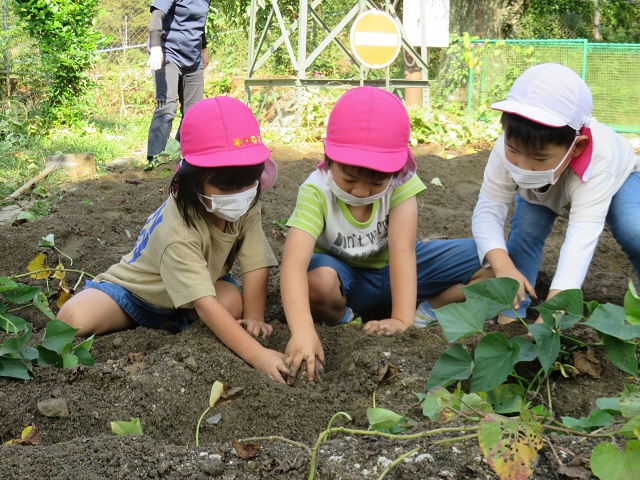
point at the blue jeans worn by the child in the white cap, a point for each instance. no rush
(531, 225)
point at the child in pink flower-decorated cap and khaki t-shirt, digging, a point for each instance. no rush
(179, 267)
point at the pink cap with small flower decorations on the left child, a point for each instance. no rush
(223, 132)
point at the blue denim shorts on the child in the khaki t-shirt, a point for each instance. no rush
(145, 314)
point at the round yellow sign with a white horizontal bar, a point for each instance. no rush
(375, 39)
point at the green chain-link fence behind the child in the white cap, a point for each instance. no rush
(611, 71)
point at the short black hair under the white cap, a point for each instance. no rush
(531, 136)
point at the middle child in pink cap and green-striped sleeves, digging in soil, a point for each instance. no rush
(352, 244)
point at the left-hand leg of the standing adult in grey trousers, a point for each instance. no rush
(166, 84)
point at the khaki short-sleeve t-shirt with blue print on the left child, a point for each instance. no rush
(171, 264)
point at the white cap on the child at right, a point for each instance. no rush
(550, 94)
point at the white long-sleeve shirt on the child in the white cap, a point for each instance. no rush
(585, 201)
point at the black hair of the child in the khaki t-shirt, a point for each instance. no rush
(186, 185)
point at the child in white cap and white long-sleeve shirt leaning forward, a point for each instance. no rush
(554, 160)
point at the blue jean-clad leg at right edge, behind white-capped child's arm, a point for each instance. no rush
(623, 219)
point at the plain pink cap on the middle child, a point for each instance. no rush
(369, 127)
